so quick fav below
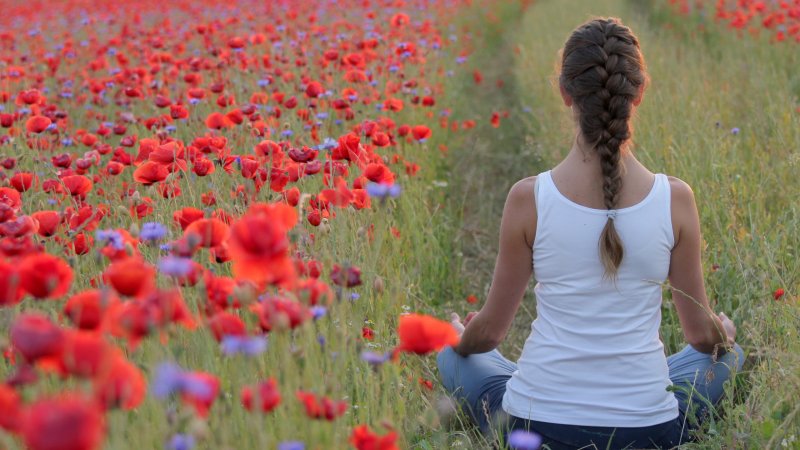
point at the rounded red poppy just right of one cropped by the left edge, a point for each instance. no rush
(45, 276)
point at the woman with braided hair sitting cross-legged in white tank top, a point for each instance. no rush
(602, 233)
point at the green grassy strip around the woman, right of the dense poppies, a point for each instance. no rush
(720, 114)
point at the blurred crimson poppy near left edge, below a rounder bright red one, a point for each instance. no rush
(34, 336)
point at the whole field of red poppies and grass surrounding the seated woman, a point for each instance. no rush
(239, 225)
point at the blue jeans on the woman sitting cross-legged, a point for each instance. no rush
(478, 383)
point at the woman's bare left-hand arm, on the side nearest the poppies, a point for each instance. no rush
(512, 273)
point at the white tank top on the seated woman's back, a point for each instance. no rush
(594, 356)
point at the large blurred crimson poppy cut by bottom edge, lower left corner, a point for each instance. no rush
(68, 421)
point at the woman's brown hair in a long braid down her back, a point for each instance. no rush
(603, 70)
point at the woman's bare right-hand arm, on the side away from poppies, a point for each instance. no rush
(702, 328)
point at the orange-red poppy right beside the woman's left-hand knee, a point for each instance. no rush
(423, 334)
